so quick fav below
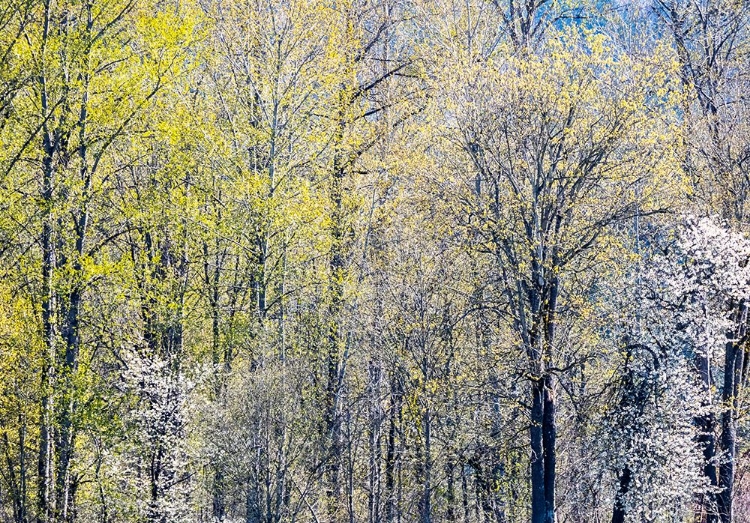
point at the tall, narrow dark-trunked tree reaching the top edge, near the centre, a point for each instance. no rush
(364, 43)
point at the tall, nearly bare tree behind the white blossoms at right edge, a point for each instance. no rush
(710, 38)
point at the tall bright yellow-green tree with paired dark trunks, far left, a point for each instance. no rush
(83, 102)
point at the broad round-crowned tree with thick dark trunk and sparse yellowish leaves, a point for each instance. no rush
(547, 167)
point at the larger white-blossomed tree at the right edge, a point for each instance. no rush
(690, 309)
